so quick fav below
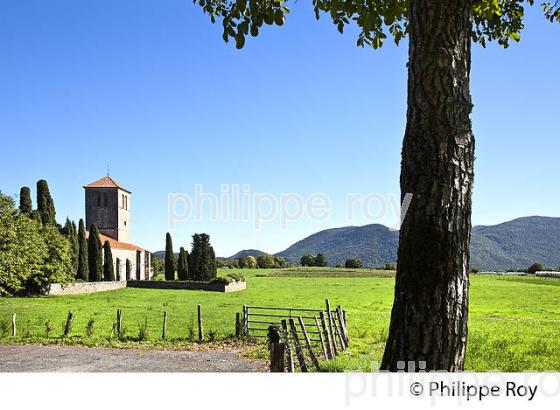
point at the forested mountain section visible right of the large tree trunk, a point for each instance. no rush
(516, 244)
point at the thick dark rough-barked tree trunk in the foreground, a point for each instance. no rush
(429, 318)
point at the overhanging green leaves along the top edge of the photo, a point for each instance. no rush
(493, 20)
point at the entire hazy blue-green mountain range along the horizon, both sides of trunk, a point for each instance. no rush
(511, 245)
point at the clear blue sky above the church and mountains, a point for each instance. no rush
(151, 89)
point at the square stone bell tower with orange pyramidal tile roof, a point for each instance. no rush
(108, 206)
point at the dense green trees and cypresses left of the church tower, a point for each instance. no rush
(36, 251)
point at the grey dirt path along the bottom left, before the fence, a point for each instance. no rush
(19, 358)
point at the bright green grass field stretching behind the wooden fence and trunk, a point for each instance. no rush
(514, 321)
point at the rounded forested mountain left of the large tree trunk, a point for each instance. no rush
(374, 244)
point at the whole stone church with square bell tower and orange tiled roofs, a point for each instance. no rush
(108, 205)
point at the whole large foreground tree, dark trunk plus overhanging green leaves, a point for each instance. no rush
(430, 311)
